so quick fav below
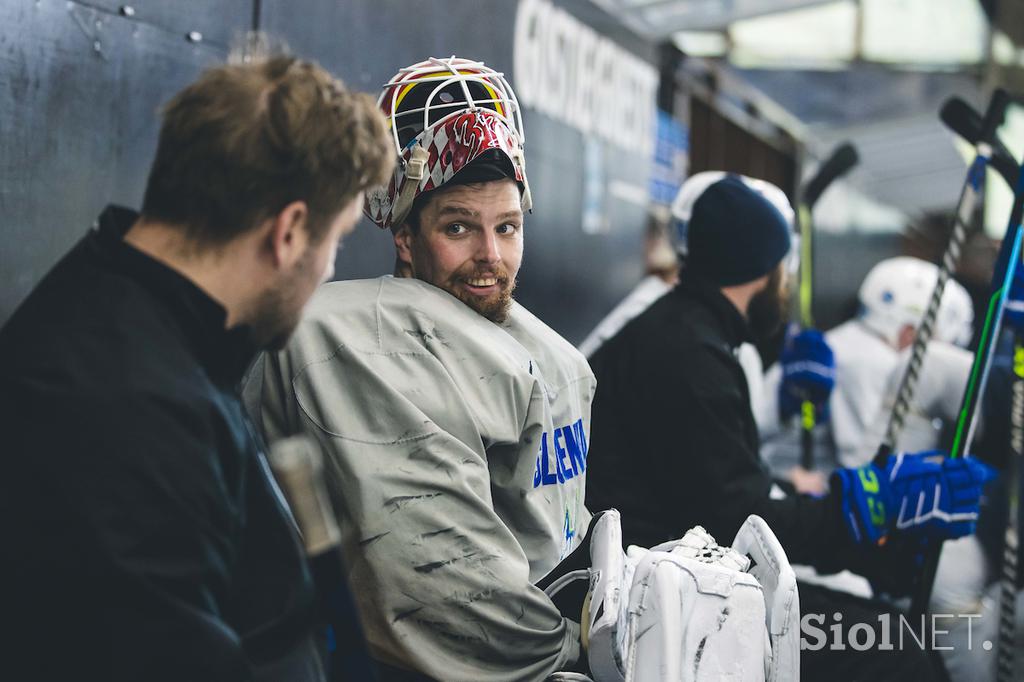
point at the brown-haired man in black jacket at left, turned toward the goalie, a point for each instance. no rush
(147, 540)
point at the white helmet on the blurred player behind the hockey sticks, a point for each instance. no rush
(897, 292)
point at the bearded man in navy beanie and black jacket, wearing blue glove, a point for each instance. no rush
(675, 445)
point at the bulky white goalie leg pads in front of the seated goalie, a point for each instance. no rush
(693, 611)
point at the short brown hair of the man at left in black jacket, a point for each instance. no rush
(246, 140)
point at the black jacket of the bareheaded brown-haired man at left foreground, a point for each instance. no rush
(144, 539)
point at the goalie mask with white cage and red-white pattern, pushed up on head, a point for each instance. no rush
(444, 115)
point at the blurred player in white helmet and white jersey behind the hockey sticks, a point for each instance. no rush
(872, 353)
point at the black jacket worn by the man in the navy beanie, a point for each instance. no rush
(674, 443)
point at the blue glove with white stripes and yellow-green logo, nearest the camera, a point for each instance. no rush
(926, 496)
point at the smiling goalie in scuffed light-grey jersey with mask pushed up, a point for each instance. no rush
(455, 423)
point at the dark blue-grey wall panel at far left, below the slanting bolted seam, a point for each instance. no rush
(80, 89)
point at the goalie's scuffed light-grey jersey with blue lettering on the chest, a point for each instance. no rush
(456, 457)
